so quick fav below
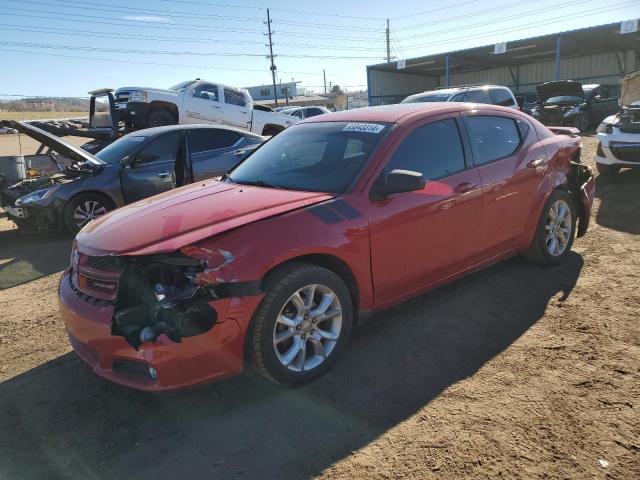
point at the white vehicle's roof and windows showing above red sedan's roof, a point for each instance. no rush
(490, 94)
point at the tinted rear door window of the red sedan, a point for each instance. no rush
(493, 137)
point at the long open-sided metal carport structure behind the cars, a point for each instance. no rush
(598, 54)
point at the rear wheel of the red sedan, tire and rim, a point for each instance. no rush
(555, 232)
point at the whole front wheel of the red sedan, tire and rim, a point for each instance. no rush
(302, 325)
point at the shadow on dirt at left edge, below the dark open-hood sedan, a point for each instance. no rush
(27, 257)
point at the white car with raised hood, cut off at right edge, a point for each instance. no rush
(619, 135)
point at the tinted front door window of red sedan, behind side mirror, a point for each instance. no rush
(435, 150)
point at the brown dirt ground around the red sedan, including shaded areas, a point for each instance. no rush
(518, 371)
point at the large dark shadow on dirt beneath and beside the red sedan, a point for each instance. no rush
(61, 421)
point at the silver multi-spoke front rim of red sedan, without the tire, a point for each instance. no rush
(307, 328)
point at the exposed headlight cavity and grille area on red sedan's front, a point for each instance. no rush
(165, 294)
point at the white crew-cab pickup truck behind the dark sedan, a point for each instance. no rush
(197, 101)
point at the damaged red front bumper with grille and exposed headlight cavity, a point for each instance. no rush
(152, 339)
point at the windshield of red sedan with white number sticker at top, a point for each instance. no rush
(315, 157)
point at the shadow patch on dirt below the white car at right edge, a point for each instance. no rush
(619, 196)
